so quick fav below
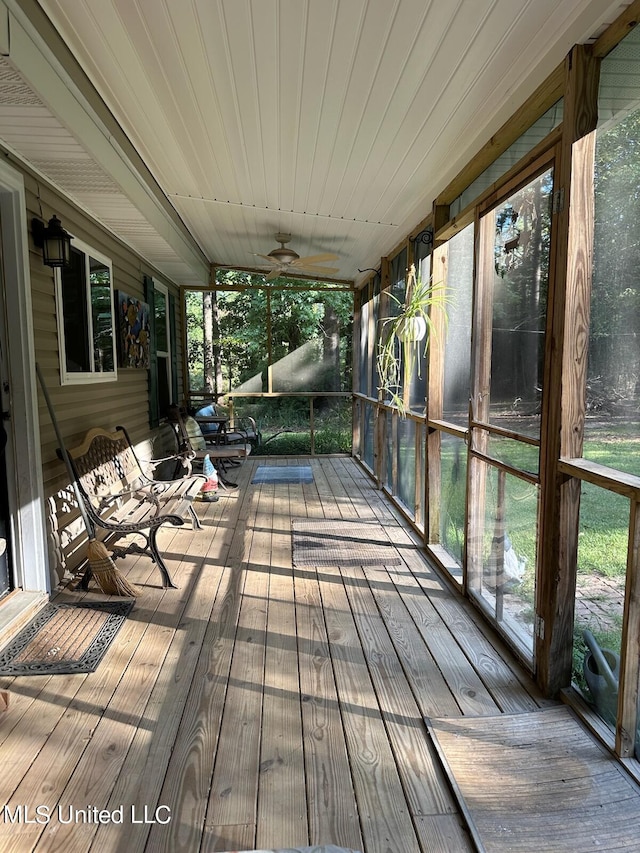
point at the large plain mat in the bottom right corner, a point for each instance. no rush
(537, 782)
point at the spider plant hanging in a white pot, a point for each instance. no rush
(404, 338)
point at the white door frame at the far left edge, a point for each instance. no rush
(23, 452)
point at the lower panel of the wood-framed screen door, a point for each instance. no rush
(503, 553)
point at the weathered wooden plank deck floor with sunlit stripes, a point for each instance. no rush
(258, 706)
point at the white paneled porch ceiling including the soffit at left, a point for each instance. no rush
(337, 121)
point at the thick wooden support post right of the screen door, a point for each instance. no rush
(564, 382)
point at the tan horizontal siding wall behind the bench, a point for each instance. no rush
(81, 407)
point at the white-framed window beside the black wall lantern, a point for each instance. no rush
(84, 293)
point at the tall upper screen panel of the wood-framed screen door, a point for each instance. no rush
(520, 284)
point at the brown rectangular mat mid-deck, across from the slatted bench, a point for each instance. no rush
(335, 542)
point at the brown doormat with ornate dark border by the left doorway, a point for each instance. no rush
(64, 638)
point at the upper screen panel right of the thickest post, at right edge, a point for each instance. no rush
(613, 382)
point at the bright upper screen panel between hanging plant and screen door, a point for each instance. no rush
(457, 349)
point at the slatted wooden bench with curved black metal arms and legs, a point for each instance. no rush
(122, 499)
